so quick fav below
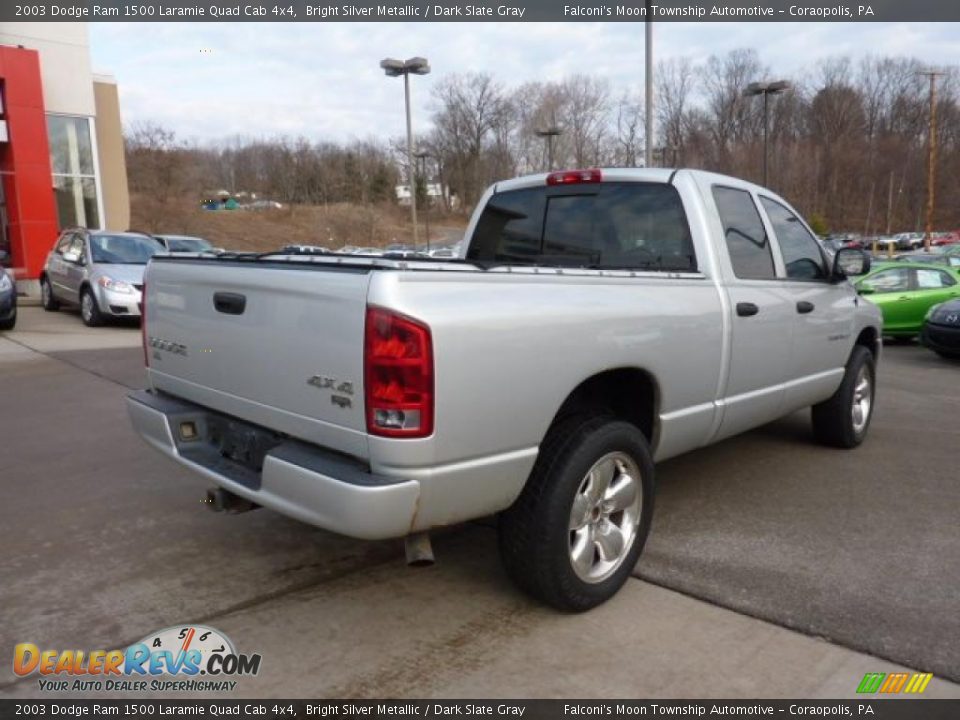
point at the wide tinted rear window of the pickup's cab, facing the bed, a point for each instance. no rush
(606, 225)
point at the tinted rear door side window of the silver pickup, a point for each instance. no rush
(746, 238)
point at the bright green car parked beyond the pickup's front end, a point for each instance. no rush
(905, 291)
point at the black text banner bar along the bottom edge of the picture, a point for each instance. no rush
(868, 707)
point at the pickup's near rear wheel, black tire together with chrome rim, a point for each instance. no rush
(573, 536)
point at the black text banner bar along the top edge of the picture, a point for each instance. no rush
(480, 11)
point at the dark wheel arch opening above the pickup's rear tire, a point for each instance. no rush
(626, 393)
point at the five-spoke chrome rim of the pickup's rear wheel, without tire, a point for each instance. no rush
(605, 517)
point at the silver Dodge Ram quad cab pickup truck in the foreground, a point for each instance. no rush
(598, 321)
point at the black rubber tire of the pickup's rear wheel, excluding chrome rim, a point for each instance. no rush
(535, 536)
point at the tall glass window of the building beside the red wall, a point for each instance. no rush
(74, 180)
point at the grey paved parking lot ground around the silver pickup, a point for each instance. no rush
(775, 568)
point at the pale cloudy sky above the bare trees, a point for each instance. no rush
(213, 81)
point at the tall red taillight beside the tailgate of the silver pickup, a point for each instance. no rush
(398, 375)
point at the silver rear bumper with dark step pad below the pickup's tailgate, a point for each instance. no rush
(303, 481)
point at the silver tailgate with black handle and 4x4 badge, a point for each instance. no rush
(276, 344)
